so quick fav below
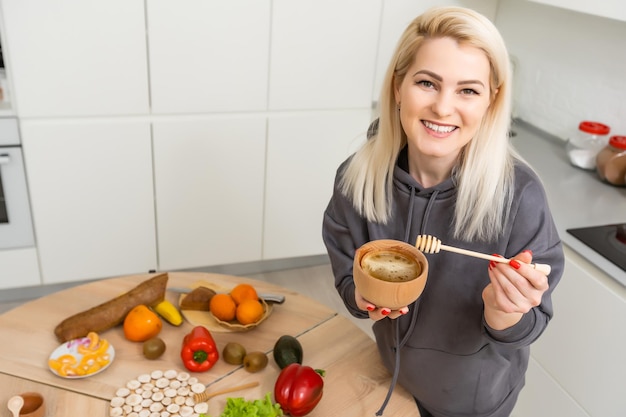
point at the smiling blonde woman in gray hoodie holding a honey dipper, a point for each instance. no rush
(438, 161)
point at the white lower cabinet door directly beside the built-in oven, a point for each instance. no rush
(92, 197)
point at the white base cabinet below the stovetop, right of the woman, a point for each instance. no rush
(582, 349)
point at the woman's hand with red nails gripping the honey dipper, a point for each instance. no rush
(515, 288)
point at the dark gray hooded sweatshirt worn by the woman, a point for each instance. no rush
(448, 358)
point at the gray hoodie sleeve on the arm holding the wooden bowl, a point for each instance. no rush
(341, 241)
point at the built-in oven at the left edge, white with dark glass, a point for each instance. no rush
(16, 229)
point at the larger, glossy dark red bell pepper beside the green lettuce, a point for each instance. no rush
(299, 389)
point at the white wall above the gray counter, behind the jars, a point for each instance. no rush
(569, 66)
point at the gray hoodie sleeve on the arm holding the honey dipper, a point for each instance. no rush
(531, 227)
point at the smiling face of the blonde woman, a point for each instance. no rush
(442, 99)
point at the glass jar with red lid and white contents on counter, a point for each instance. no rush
(585, 144)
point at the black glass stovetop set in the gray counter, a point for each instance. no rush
(608, 240)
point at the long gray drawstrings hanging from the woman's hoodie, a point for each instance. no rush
(400, 343)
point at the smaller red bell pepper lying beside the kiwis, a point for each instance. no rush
(199, 352)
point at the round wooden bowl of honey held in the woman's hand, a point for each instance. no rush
(392, 259)
